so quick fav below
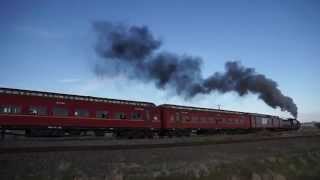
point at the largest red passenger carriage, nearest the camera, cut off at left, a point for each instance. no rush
(29, 110)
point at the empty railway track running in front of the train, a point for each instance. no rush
(64, 148)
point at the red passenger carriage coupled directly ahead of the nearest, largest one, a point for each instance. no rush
(187, 119)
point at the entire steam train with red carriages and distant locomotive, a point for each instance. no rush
(53, 114)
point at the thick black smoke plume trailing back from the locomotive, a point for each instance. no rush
(134, 51)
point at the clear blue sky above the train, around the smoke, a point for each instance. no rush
(48, 45)
